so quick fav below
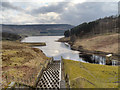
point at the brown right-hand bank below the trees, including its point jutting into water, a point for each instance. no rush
(105, 43)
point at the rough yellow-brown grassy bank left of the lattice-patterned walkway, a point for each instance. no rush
(21, 63)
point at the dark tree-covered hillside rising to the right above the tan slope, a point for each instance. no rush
(101, 26)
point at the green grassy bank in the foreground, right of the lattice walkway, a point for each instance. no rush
(86, 75)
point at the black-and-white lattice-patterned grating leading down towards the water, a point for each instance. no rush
(51, 76)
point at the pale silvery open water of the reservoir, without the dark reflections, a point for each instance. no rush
(53, 48)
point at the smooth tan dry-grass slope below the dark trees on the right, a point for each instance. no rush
(105, 43)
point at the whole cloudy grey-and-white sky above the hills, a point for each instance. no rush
(72, 12)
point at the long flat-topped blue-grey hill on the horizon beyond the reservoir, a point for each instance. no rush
(39, 29)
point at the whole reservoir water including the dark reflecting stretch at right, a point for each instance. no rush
(57, 49)
